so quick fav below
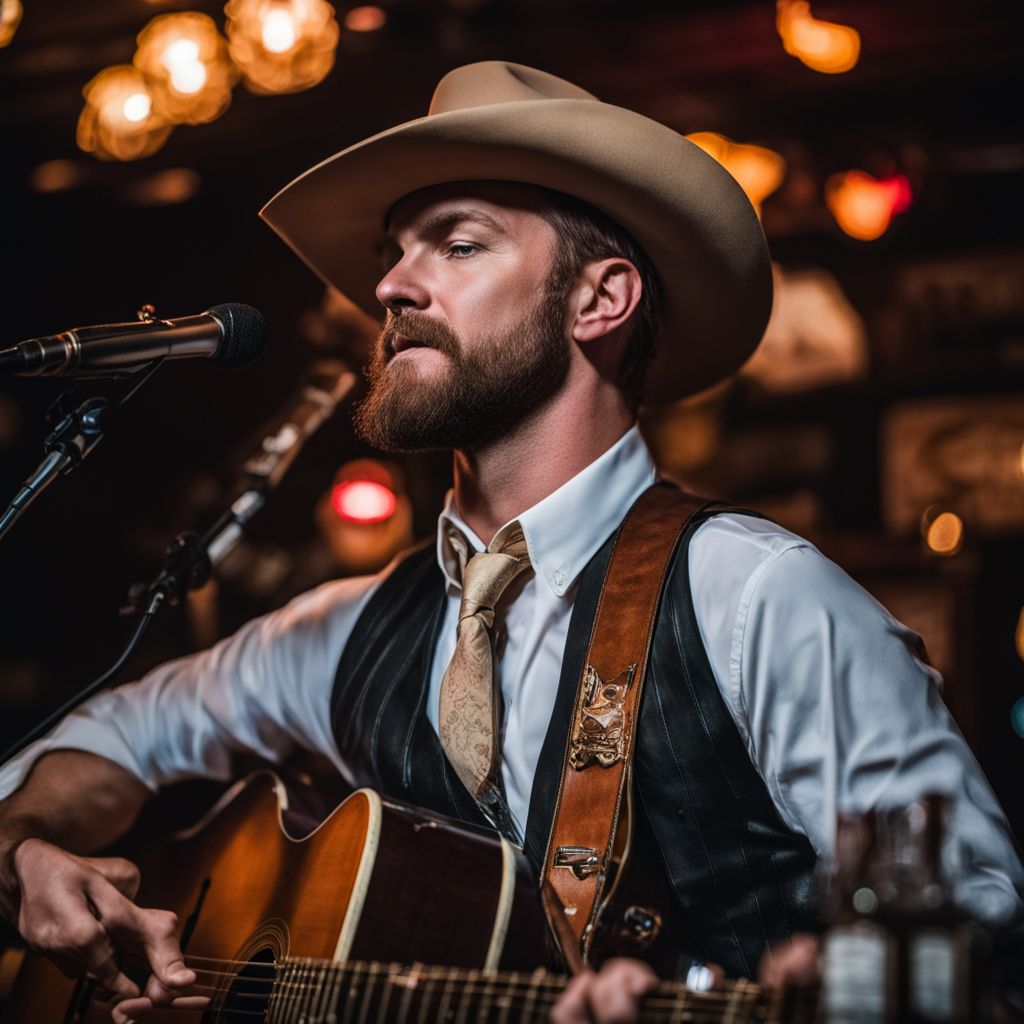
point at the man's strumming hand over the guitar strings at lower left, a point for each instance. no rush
(79, 912)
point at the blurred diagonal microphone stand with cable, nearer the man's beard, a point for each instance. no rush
(191, 560)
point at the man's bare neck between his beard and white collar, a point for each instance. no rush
(496, 484)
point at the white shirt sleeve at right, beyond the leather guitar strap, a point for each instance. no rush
(842, 714)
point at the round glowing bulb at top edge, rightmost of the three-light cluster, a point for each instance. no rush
(282, 46)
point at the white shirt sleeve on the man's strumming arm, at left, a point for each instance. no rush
(265, 691)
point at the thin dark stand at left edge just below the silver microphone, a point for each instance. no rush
(68, 445)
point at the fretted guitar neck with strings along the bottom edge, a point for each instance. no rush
(316, 993)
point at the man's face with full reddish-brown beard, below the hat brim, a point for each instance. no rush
(476, 338)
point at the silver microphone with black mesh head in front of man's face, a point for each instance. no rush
(229, 336)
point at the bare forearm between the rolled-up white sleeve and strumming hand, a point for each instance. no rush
(77, 801)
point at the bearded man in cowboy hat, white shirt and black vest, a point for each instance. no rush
(527, 243)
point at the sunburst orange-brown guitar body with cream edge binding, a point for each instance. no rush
(372, 883)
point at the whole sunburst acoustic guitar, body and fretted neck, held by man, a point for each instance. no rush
(383, 914)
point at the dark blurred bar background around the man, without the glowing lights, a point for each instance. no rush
(935, 96)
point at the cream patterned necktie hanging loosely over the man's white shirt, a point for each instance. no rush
(471, 698)
